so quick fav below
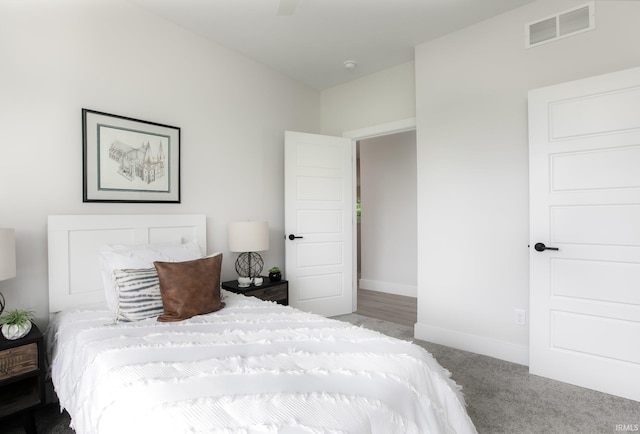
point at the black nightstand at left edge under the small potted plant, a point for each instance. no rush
(22, 376)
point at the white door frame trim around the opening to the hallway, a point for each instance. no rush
(408, 124)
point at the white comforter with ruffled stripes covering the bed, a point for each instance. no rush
(251, 367)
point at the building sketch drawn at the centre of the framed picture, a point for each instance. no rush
(138, 162)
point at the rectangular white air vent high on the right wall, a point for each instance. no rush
(567, 23)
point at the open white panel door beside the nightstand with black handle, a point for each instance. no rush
(319, 213)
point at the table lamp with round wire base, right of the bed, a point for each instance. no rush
(249, 238)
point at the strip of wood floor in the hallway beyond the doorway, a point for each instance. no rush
(399, 309)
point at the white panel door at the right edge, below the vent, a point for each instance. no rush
(584, 140)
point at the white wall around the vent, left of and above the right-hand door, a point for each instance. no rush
(471, 93)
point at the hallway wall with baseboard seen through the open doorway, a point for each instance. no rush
(389, 214)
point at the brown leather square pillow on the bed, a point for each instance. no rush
(189, 288)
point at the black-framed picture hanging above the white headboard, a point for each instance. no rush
(129, 160)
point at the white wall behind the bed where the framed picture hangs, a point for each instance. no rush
(58, 57)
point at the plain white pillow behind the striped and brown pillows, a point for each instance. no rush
(122, 257)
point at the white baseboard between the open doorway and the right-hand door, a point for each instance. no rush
(476, 344)
